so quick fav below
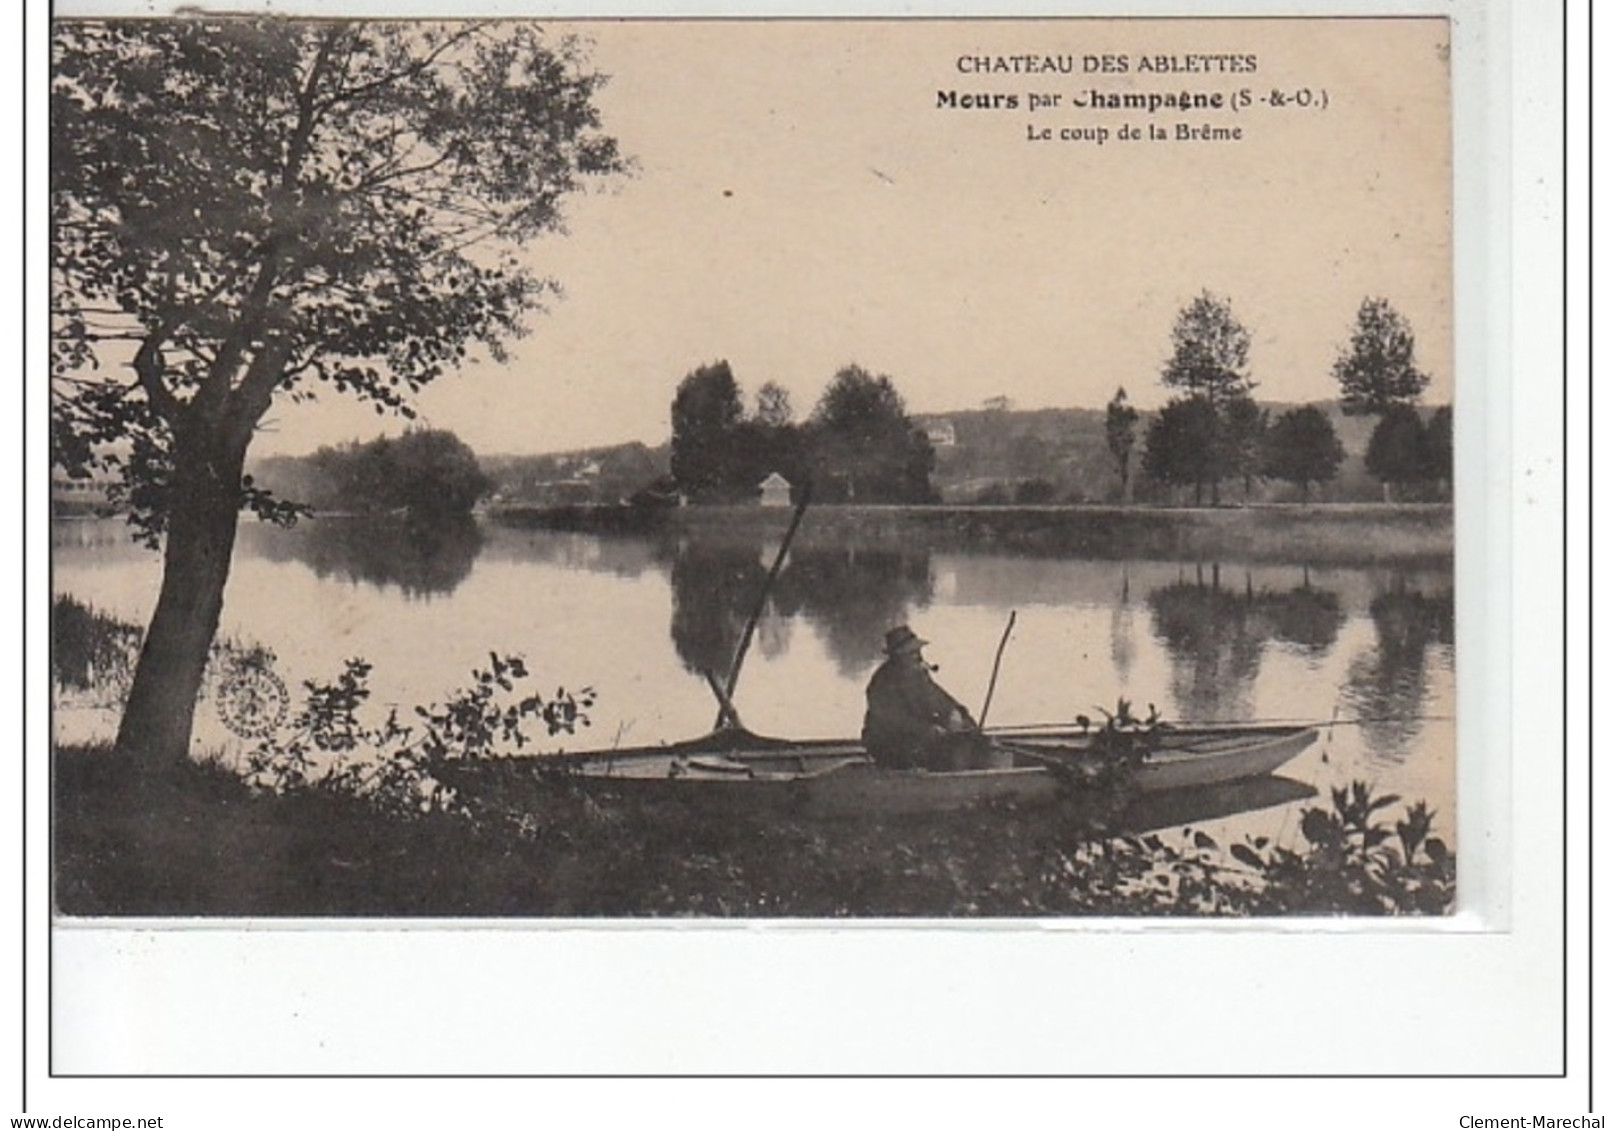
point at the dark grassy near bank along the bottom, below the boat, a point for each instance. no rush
(199, 843)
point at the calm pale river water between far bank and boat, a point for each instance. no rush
(640, 618)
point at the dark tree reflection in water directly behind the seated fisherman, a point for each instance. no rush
(854, 597)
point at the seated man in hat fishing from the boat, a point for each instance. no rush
(912, 723)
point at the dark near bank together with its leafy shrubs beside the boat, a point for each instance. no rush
(351, 815)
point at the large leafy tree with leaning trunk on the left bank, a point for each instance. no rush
(251, 209)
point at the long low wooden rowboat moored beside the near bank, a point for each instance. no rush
(734, 770)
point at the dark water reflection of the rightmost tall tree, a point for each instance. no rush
(1388, 686)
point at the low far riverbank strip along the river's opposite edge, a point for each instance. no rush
(1361, 534)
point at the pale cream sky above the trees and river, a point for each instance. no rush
(803, 203)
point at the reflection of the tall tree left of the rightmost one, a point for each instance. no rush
(1215, 641)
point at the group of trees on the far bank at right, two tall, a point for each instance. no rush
(1214, 431)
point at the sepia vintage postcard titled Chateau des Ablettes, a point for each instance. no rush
(792, 469)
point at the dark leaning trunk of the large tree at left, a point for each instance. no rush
(204, 510)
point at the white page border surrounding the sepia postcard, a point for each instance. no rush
(800, 1001)
